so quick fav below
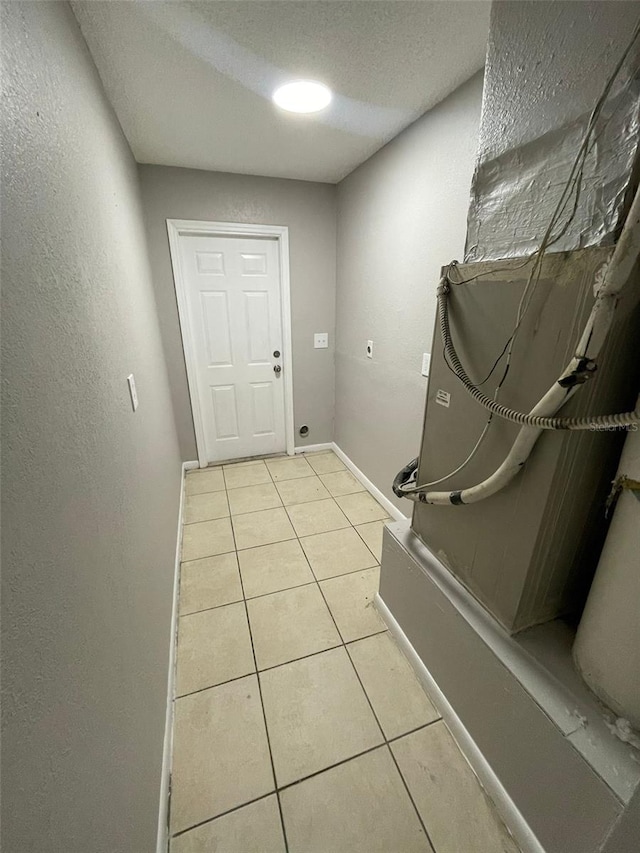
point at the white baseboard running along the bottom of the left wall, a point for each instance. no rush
(162, 842)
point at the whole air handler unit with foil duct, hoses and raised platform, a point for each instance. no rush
(488, 591)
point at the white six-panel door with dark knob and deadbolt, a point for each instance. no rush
(233, 303)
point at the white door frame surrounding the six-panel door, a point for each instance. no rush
(177, 228)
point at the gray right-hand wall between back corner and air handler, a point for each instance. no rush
(401, 216)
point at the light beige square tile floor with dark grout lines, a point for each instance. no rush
(299, 726)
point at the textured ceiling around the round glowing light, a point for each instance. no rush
(191, 82)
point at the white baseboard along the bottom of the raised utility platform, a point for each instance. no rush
(505, 806)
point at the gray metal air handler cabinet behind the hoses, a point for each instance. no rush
(519, 551)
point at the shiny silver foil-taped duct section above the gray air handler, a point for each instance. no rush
(547, 65)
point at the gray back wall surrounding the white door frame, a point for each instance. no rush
(309, 211)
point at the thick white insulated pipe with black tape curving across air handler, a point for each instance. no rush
(607, 294)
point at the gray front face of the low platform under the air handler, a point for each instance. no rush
(567, 806)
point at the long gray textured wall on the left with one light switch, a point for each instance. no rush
(90, 489)
